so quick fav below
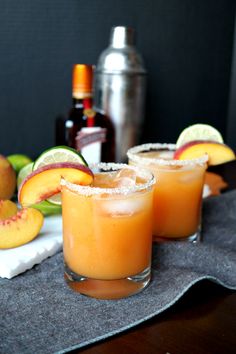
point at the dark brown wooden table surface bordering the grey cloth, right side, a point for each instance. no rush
(203, 321)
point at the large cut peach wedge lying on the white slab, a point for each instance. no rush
(20, 228)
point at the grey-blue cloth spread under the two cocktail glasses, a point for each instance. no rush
(40, 314)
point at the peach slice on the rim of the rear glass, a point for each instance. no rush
(217, 152)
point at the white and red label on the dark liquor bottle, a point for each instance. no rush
(89, 141)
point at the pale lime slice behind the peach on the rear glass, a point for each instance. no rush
(199, 132)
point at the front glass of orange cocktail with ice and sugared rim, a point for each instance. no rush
(107, 232)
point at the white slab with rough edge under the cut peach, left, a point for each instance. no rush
(49, 241)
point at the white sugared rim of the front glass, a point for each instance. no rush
(109, 167)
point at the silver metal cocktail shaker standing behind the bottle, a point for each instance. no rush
(120, 87)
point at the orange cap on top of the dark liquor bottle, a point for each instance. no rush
(82, 79)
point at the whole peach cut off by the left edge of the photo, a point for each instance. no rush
(7, 179)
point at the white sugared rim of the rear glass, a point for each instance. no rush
(132, 155)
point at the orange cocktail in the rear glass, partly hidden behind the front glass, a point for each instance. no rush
(178, 191)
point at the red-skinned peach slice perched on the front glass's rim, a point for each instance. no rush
(45, 181)
